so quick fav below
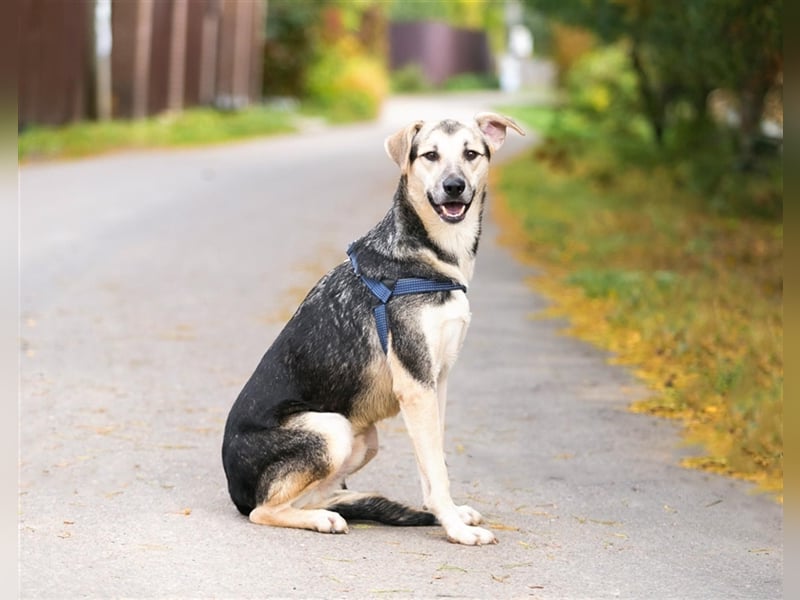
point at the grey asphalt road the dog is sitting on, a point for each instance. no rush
(151, 285)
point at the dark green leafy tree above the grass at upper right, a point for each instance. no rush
(681, 50)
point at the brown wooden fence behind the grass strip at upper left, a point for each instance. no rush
(165, 55)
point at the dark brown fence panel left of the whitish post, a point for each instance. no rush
(54, 61)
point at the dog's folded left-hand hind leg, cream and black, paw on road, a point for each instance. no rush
(311, 468)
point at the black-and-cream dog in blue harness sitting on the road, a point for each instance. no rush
(377, 335)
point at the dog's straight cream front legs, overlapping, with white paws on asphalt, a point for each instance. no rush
(419, 405)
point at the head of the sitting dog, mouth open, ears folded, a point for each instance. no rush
(446, 163)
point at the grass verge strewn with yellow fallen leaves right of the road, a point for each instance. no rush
(685, 293)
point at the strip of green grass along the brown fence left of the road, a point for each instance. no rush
(191, 127)
